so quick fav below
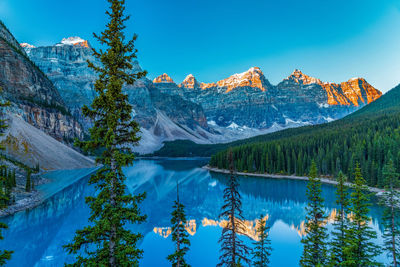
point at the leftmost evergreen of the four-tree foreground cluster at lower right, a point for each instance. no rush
(314, 251)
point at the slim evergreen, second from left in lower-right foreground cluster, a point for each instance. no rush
(341, 223)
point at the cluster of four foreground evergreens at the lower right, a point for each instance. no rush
(352, 241)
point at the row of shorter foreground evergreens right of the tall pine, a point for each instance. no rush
(351, 242)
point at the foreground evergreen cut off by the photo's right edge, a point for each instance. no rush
(391, 215)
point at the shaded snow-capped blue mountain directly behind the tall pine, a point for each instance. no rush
(161, 116)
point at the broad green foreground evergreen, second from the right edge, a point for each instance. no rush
(360, 250)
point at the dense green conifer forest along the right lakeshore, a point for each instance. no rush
(371, 142)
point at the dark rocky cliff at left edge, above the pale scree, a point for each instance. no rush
(31, 93)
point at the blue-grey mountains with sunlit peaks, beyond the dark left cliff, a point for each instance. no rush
(240, 106)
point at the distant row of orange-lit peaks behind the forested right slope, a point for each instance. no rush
(248, 100)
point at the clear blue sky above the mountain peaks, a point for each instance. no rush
(333, 40)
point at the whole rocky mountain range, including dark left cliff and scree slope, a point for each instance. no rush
(47, 87)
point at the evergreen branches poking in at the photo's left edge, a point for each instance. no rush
(4, 254)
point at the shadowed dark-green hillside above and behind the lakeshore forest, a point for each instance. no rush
(386, 106)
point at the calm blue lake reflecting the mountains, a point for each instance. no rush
(37, 235)
